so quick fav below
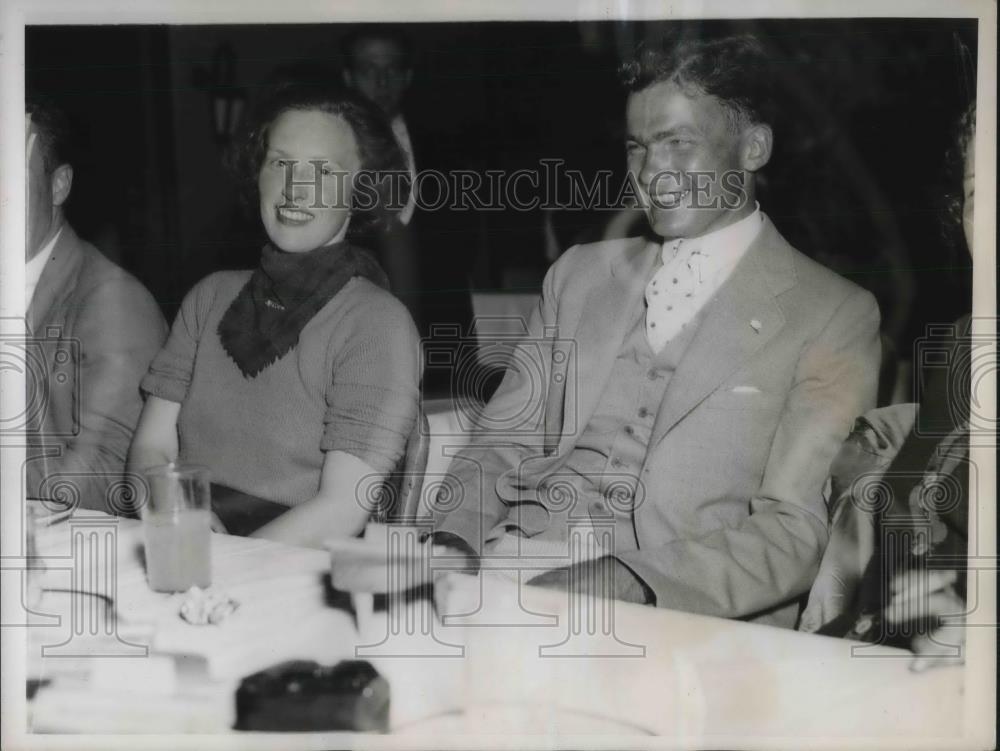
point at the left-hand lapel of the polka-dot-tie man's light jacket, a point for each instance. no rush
(606, 314)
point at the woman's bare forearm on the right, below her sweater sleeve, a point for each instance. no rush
(337, 510)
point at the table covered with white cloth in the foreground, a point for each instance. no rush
(502, 659)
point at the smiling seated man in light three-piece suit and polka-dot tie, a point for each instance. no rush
(687, 393)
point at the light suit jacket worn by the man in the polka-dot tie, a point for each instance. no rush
(732, 521)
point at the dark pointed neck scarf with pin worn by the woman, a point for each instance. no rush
(264, 321)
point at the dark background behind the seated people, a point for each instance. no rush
(856, 180)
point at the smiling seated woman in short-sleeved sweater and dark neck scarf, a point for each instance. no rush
(296, 383)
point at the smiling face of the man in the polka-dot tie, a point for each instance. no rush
(689, 162)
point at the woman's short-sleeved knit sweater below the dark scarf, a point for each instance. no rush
(350, 384)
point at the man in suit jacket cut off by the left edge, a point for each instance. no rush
(95, 329)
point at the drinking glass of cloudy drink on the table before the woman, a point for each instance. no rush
(177, 522)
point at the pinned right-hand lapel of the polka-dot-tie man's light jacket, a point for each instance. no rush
(739, 321)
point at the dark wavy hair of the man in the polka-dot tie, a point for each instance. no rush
(733, 69)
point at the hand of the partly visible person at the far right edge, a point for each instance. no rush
(927, 596)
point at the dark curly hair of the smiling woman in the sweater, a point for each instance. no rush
(379, 152)
